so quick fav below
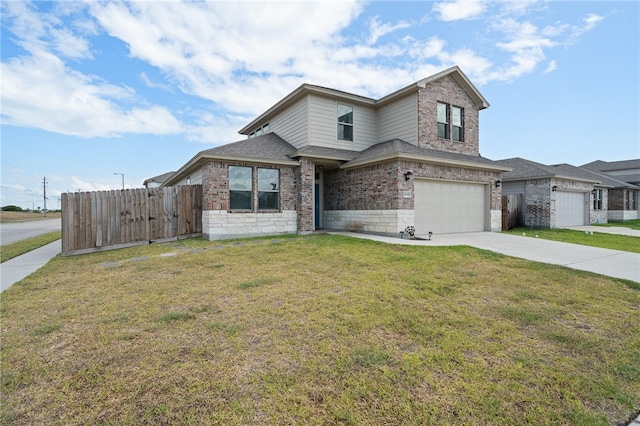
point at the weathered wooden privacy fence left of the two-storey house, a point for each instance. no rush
(102, 220)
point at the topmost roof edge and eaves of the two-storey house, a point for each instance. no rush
(306, 89)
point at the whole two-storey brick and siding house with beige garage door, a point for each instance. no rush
(321, 158)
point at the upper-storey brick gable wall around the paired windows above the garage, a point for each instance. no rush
(448, 91)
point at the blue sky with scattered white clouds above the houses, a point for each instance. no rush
(93, 88)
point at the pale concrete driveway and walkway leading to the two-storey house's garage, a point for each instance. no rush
(612, 263)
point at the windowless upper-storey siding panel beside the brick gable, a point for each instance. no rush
(399, 119)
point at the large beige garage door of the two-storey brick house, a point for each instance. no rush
(447, 207)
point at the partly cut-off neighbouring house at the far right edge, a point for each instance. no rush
(623, 198)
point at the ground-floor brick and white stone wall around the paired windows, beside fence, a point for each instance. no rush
(219, 222)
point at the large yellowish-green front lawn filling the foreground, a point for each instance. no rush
(317, 330)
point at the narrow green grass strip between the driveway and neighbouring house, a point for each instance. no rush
(598, 239)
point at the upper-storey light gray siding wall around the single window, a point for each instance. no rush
(323, 125)
